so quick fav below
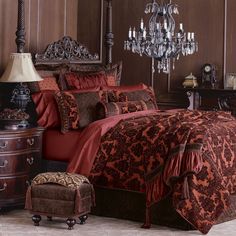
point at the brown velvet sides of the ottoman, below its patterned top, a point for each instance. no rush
(57, 200)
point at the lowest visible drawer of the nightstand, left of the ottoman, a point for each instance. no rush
(13, 187)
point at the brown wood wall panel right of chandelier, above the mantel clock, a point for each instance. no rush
(209, 28)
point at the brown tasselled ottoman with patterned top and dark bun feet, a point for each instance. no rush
(59, 194)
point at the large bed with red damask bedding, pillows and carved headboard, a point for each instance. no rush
(174, 167)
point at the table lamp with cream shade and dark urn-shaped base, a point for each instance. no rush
(20, 69)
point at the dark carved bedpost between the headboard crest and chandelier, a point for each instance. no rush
(109, 42)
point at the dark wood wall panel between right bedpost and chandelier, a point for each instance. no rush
(128, 13)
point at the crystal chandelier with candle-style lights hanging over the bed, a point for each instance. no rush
(159, 40)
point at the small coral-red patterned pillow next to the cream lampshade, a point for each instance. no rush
(48, 83)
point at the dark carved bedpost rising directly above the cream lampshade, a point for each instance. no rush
(20, 33)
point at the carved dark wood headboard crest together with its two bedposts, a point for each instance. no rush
(66, 50)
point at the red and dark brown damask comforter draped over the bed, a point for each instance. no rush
(189, 154)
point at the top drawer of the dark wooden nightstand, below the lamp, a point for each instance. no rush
(21, 143)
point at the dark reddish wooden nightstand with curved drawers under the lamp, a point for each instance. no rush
(20, 161)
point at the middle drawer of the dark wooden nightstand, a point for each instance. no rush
(23, 163)
